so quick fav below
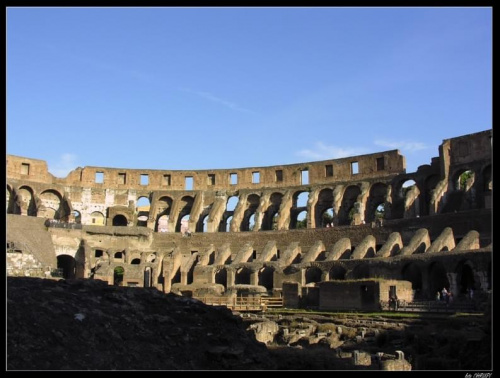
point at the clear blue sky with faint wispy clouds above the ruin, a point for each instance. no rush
(208, 88)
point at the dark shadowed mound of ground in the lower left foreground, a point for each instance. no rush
(88, 325)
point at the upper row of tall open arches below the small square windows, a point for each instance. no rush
(468, 188)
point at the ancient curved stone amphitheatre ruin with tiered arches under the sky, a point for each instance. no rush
(297, 231)
